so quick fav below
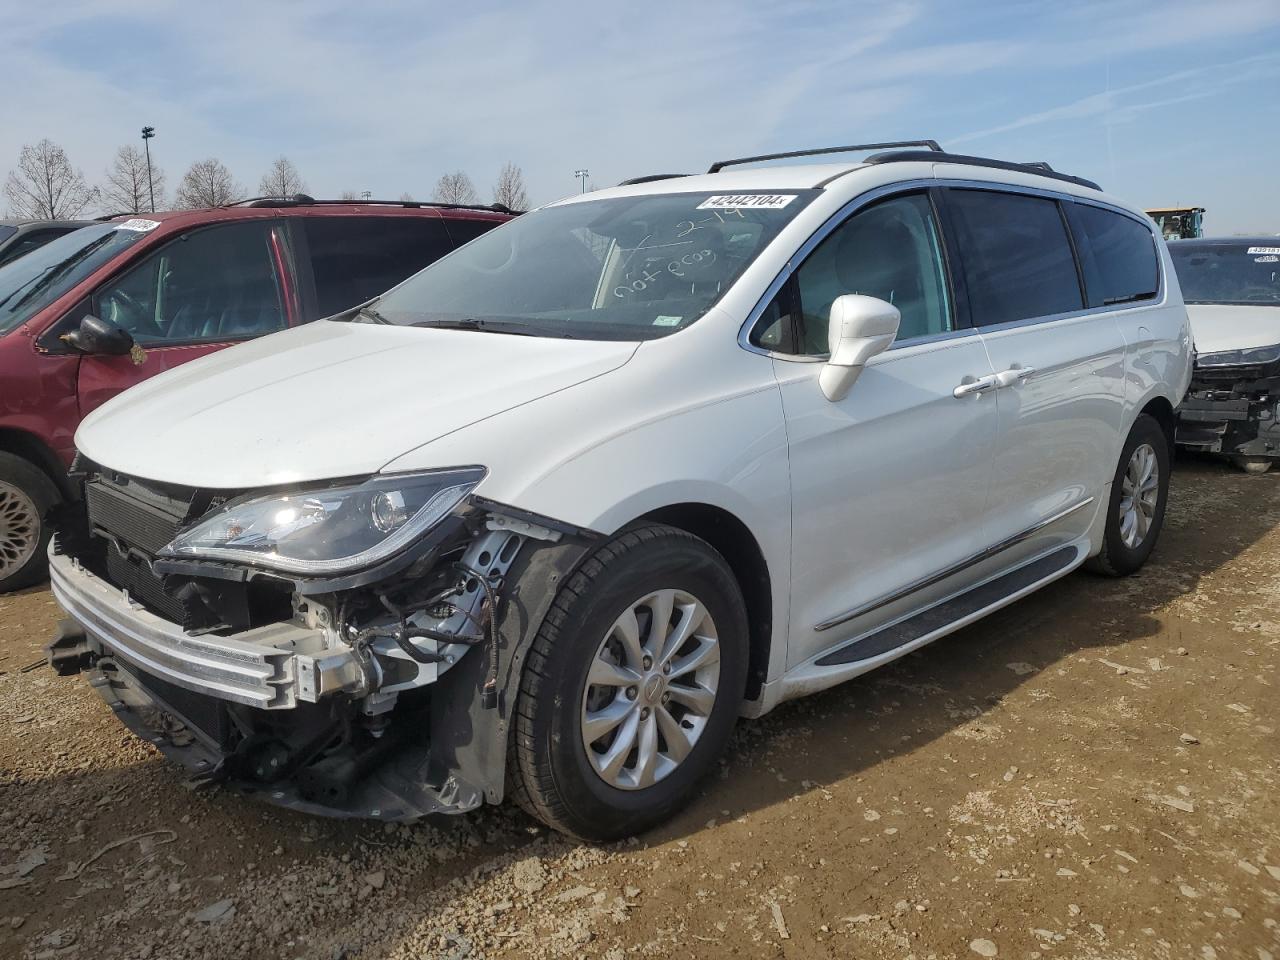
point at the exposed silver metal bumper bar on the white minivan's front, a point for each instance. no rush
(272, 668)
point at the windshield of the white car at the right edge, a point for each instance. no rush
(1228, 273)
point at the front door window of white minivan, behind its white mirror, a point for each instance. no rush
(889, 252)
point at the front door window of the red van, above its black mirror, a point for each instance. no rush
(221, 284)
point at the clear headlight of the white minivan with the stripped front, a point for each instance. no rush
(328, 531)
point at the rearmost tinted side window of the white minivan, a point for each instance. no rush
(1118, 255)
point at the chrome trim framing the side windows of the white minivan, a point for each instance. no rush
(862, 200)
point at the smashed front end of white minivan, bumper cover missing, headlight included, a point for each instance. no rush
(369, 689)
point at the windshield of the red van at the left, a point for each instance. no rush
(36, 280)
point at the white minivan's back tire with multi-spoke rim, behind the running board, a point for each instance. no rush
(1121, 557)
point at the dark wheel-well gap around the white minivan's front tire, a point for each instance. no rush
(735, 542)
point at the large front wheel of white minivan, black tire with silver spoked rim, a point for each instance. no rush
(568, 783)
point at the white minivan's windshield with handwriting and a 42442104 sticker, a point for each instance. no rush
(625, 269)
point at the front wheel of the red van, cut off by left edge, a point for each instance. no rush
(26, 496)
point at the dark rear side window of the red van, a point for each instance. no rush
(358, 258)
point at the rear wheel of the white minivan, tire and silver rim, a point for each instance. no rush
(1140, 492)
